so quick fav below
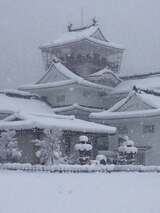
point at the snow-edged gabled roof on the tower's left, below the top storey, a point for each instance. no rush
(47, 81)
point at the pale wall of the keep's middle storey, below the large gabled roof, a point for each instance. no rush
(73, 94)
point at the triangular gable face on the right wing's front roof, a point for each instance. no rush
(134, 104)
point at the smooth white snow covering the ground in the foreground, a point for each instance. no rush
(23, 192)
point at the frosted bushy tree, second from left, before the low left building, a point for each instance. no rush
(49, 148)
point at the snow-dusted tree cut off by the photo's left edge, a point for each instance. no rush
(9, 151)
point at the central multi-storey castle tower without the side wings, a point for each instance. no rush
(82, 69)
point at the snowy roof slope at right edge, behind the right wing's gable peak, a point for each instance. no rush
(152, 82)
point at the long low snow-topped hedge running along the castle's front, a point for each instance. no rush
(79, 168)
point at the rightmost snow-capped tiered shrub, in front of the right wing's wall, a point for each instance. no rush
(127, 151)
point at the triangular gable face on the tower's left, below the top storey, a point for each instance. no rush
(53, 75)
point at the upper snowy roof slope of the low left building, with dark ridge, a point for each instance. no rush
(9, 102)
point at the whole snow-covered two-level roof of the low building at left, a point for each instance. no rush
(27, 112)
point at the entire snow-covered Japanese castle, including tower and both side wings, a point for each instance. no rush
(82, 78)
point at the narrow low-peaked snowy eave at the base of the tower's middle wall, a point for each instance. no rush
(75, 106)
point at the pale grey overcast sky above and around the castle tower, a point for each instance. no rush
(27, 24)
